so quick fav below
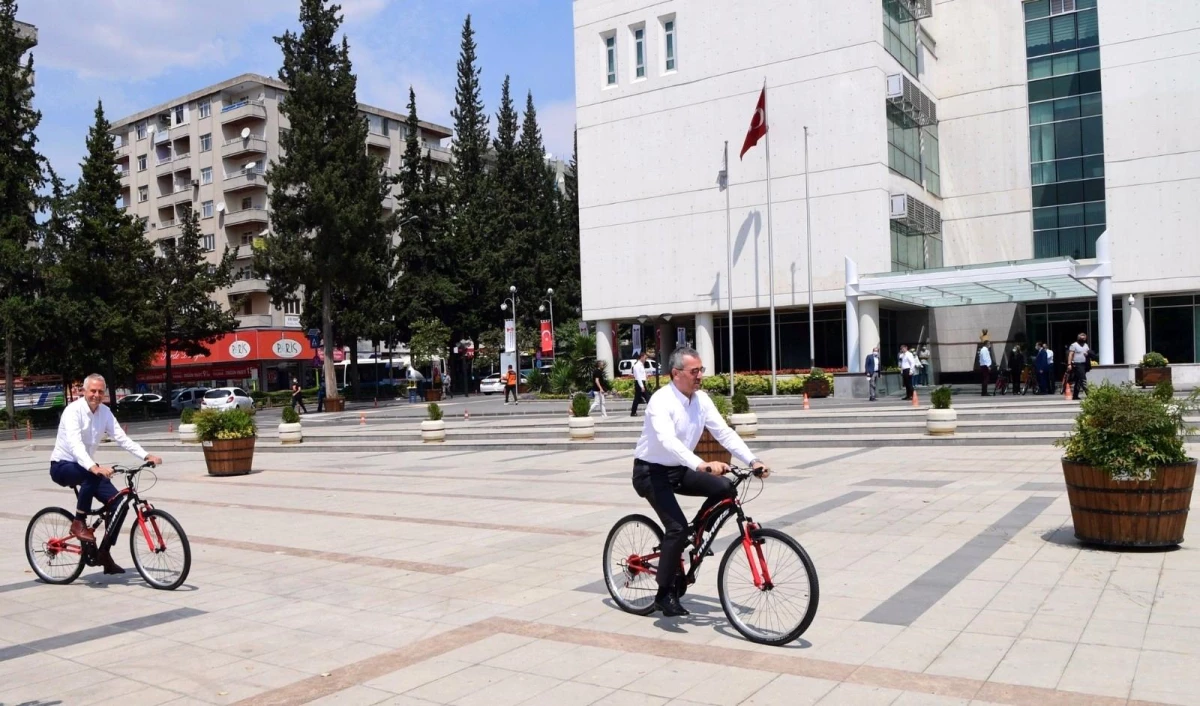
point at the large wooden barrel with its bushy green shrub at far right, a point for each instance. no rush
(1129, 476)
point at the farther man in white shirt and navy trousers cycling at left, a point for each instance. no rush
(81, 428)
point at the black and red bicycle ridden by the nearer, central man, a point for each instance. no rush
(767, 583)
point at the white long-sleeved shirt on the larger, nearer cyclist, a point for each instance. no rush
(674, 426)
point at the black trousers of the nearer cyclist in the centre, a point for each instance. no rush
(659, 486)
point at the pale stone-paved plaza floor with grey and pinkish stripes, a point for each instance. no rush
(451, 576)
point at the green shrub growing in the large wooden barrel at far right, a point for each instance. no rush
(1129, 434)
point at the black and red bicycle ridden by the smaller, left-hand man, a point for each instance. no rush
(158, 543)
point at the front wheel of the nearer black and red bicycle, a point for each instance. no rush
(777, 612)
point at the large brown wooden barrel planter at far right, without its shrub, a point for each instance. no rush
(1130, 513)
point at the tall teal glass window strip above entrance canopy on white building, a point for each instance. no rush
(1066, 127)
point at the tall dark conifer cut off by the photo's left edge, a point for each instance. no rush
(21, 178)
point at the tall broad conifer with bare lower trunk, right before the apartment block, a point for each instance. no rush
(331, 234)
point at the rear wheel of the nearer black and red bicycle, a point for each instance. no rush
(632, 583)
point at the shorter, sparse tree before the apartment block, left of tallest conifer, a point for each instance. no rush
(188, 319)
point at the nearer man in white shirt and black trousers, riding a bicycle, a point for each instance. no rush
(665, 464)
